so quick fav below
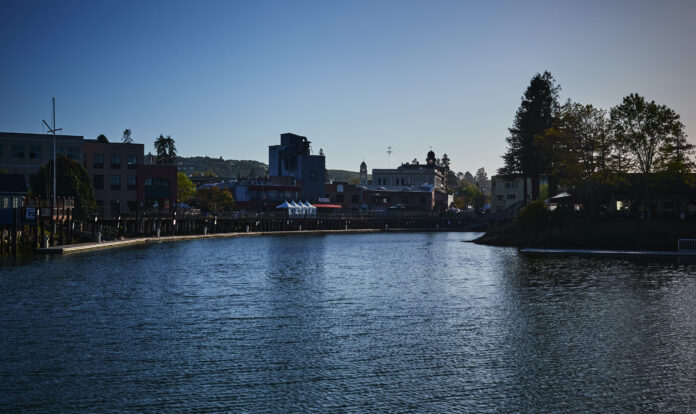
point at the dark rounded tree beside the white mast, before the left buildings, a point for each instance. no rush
(72, 180)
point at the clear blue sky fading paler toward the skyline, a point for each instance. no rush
(227, 78)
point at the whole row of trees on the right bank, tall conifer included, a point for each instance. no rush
(580, 147)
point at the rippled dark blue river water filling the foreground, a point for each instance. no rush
(402, 322)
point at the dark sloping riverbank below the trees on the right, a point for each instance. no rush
(598, 234)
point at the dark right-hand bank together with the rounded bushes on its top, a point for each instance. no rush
(535, 226)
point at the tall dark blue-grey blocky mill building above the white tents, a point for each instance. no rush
(292, 158)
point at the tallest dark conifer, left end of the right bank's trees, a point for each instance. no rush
(534, 116)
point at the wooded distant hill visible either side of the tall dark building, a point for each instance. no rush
(234, 168)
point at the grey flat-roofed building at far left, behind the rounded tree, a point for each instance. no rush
(24, 154)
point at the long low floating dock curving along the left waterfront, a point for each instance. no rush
(92, 246)
